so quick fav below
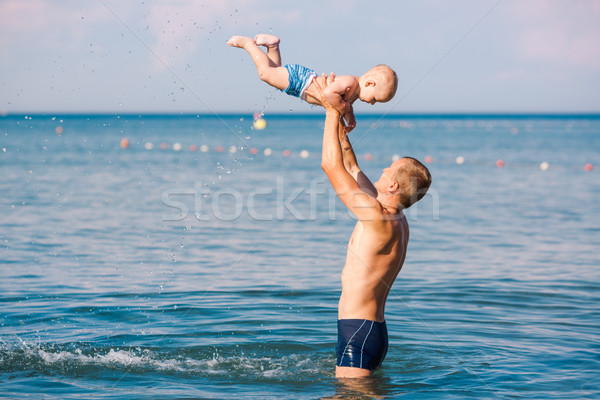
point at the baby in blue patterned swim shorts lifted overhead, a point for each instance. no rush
(378, 84)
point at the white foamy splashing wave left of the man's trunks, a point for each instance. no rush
(241, 360)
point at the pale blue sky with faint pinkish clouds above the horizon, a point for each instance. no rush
(171, 56)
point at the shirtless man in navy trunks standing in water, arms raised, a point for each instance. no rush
(377, 247)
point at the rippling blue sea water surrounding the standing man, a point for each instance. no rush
(156, 273)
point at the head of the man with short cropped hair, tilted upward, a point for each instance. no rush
(405, 182)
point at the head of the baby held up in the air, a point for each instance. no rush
(378, 84)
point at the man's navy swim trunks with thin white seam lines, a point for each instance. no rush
(361, 343)
